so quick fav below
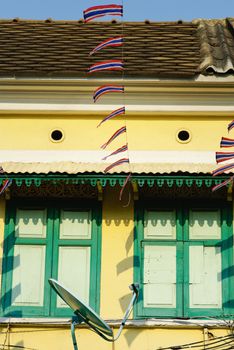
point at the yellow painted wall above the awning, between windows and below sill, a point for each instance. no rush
(151, 132)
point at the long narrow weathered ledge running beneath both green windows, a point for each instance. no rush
(141, 323)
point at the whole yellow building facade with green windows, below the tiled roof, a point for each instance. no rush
(62, 216)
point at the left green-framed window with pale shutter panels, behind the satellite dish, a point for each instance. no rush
(61, 241)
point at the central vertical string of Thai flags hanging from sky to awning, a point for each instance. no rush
(91, 14)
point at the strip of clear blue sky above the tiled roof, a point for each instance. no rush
(134, 10)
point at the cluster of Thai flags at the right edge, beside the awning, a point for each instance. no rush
(223, 157)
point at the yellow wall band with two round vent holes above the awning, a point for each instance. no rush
(149, 132)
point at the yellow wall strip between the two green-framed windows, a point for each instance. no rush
(117, 255)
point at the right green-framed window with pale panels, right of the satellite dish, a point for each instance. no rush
(184, 260)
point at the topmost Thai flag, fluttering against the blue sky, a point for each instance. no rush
(102, 10)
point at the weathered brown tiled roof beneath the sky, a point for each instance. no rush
(170, 49)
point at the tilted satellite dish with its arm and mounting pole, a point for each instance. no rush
(88, 315)
